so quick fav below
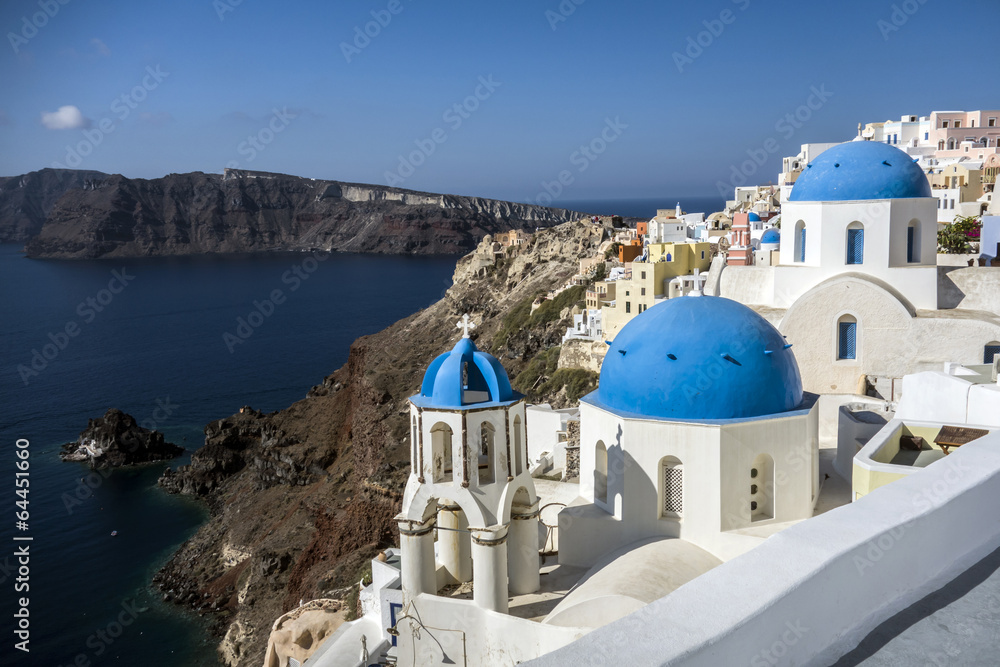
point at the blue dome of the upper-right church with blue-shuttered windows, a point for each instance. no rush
(861, 170)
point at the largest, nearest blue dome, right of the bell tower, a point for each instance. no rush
(699, 358)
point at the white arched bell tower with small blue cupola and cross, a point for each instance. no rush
(469, 478)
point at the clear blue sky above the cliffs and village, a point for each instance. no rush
(271, 86)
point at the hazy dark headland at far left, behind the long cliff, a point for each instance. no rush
(27, 200)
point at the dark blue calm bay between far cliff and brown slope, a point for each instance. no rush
(155, 349)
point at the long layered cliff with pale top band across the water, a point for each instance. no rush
(244, 211)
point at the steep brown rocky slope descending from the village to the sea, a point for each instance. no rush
(303, 498)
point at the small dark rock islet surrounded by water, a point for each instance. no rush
(116, 440)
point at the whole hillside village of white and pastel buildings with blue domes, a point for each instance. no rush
(764, 371)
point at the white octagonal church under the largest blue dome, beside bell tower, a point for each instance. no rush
(700, 408)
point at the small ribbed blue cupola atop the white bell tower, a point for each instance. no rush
(465, 376)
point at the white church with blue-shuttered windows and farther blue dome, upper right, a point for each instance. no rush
(858, 289)
